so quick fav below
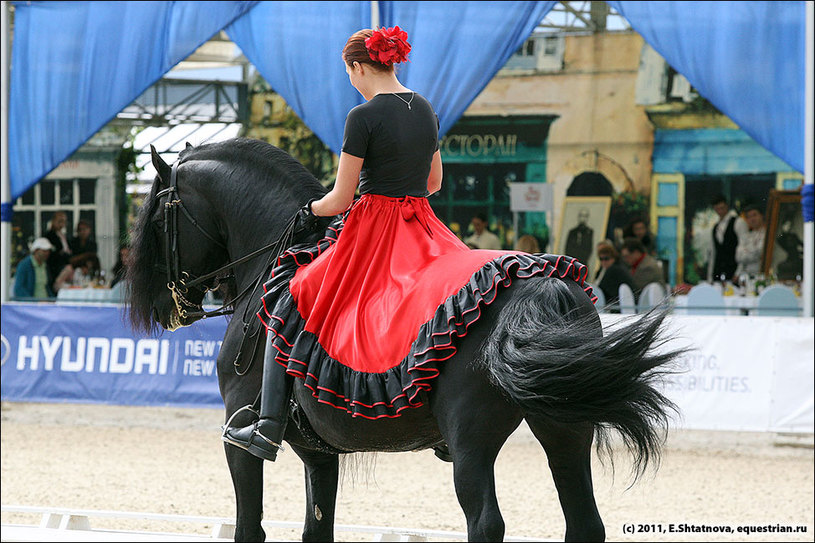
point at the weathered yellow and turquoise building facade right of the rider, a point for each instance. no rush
(613, 119)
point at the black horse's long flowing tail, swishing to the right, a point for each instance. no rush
(548, 353)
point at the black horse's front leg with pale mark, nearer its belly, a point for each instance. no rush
(322, 476)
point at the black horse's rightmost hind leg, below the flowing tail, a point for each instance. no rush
(568, 448)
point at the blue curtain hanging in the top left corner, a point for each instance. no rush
(75, 65)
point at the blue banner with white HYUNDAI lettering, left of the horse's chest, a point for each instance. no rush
(89, 354)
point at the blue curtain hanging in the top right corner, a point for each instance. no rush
(746, 58)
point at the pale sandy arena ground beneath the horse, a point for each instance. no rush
(171, 461)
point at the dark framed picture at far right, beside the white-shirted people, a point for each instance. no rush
(784, 243)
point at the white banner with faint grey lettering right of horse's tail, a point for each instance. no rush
(742, 373)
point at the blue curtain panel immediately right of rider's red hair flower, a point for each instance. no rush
(457, 47)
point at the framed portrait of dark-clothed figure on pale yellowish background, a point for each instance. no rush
(582, 225)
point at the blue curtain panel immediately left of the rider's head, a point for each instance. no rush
(297, 48)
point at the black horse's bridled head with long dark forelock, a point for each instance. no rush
(177, 241)
